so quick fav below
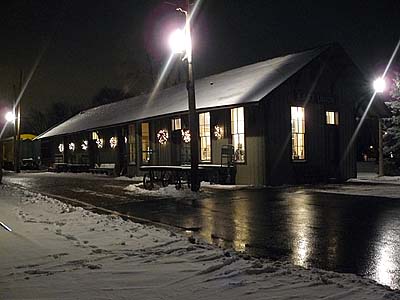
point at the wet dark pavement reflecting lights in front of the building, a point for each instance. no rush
(356, 234)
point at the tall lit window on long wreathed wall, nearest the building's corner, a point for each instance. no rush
(237, 131)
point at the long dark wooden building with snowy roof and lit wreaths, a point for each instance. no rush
(290, 120)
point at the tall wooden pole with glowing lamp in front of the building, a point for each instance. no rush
(181, 42)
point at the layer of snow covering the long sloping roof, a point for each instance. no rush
(238, 86)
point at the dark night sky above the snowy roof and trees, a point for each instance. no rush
(96, 42)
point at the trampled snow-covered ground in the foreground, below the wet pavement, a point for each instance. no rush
(57, 251)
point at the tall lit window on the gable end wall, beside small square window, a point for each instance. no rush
(298, 132)
